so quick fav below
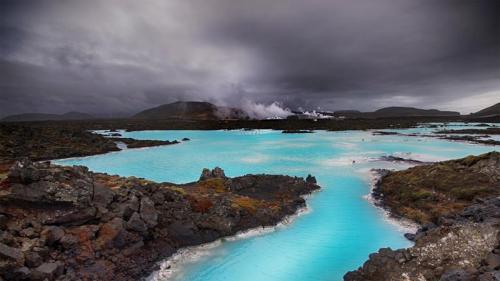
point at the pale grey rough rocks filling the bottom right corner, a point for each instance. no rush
(461, 247)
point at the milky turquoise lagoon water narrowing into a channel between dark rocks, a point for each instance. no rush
(335, 236)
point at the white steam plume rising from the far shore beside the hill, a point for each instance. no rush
(274, 110)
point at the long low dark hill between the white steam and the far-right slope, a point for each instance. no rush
(396, 111)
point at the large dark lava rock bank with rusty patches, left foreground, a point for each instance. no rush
(66, 223)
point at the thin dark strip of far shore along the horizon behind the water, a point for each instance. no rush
(275, 124)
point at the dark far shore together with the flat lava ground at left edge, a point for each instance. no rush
(48, 140)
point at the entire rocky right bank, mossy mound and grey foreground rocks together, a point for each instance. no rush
(459, 237)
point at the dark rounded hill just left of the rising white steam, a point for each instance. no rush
(191, 110)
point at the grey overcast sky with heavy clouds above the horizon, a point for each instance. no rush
(122, 56)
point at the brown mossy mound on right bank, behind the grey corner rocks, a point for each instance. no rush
(427, 192)
